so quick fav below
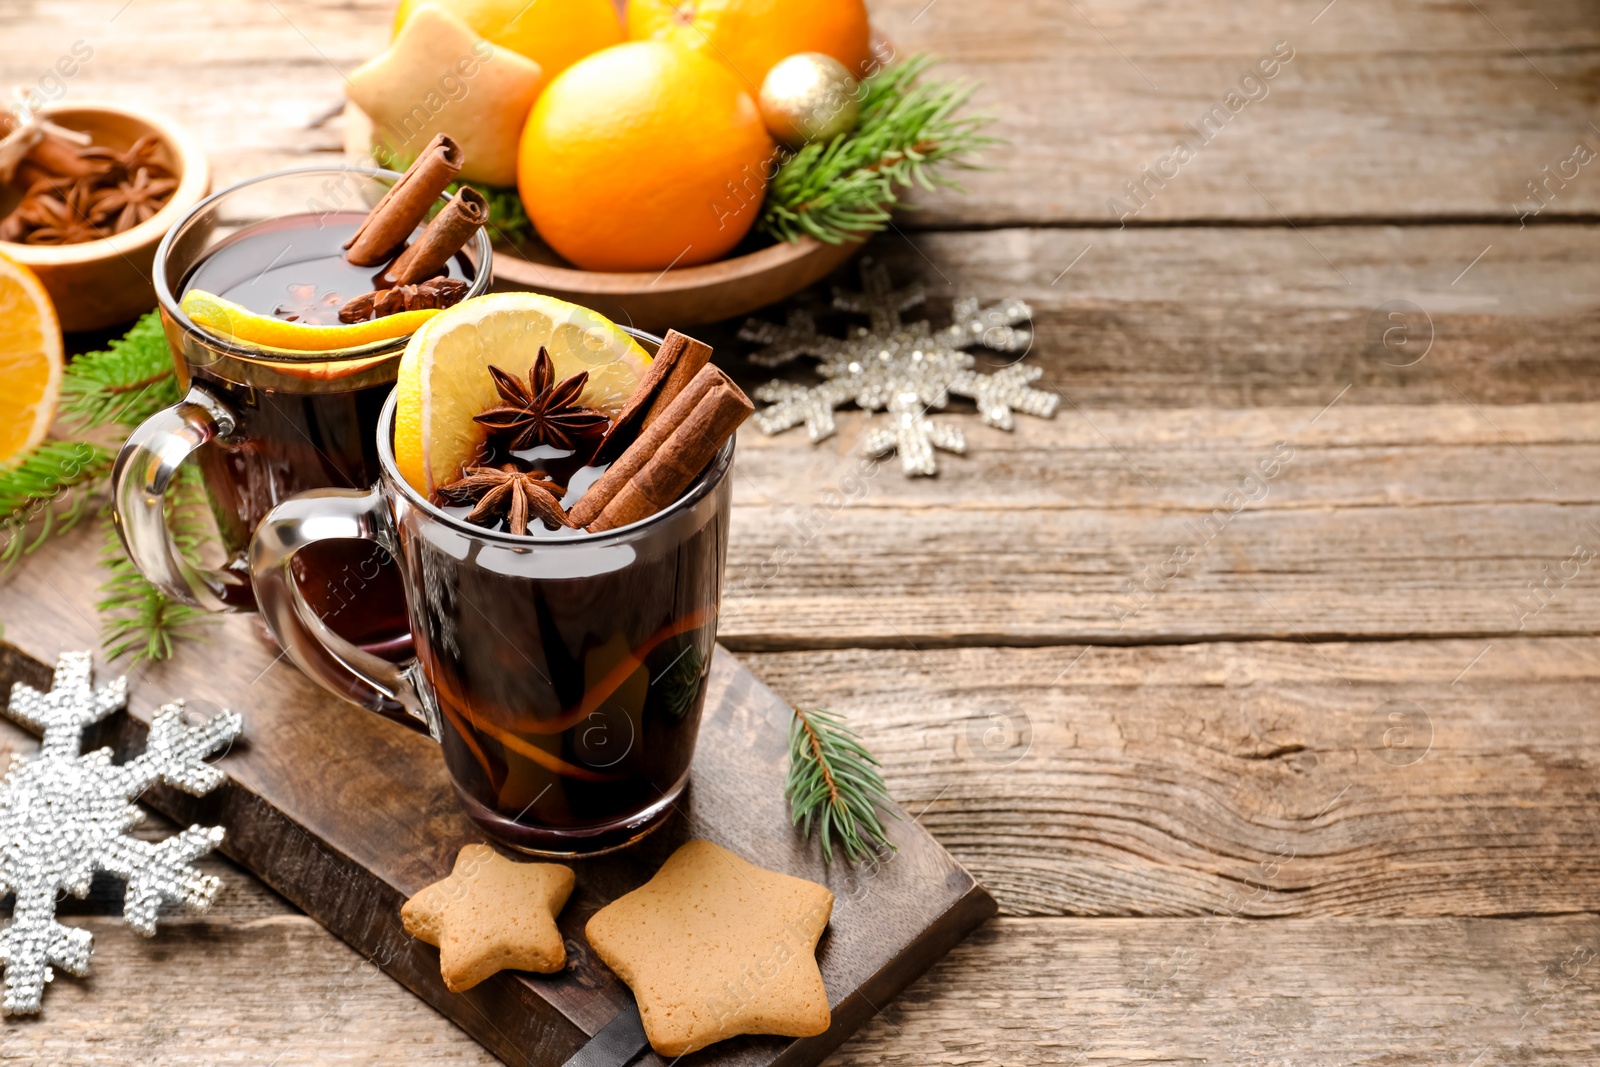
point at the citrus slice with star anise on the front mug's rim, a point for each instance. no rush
(446, 380)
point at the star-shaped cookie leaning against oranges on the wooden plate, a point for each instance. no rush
(441, 78)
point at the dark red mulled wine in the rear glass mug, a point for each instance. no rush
(300, 426)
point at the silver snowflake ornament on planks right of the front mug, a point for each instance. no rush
(878, 364)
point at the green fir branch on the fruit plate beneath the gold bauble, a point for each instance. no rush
(849, 188)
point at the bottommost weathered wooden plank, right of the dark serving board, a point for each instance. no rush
(1311, 994)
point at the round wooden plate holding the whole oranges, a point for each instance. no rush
(650, 300)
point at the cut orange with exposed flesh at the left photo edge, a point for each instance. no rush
(31, 359)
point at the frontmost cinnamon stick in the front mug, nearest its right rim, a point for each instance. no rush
(668, 457)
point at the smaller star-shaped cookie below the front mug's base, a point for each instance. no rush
(492, 914)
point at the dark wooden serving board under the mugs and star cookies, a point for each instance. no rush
(348, 815)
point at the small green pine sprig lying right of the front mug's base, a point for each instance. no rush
(836, 785)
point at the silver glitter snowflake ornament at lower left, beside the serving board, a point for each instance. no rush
(65, 815)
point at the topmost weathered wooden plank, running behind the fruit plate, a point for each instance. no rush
(1089, 95)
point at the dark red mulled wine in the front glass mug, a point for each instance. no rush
(569, 671)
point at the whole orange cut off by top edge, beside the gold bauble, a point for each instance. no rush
(751, 36)
